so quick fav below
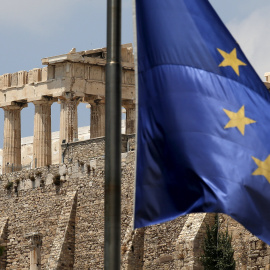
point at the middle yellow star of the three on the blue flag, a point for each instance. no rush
(238, 119)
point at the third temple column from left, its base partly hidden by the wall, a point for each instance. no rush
(68, 122)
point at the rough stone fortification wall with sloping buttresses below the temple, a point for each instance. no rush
(65, 203)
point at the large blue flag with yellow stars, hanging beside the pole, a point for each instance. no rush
(203, 142)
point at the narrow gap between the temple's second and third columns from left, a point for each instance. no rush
(55, 122)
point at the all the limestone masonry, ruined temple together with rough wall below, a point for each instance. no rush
(51, 216)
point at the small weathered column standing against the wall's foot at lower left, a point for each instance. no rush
(35, 250)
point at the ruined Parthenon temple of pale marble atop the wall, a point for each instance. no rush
(67, 79)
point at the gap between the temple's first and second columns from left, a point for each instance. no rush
(27, 132)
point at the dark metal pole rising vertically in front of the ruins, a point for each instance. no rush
(112, 257)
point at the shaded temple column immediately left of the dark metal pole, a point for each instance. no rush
(97, 128)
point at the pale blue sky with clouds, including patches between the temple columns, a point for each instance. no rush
(31, 30)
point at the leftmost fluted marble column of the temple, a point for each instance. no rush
(12, 138)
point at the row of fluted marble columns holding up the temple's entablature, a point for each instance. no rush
(42, 129)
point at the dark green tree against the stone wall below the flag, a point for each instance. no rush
(217, 249)
